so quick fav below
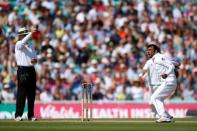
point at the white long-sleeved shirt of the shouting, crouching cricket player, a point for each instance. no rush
(158, 65)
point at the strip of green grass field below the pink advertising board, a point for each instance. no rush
(189, 124)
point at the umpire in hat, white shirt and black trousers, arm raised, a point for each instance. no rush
(26, 58)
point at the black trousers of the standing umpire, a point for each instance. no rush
(26, 77)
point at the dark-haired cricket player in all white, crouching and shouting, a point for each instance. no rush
(161, 79)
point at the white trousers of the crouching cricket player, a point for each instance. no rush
(158, 96)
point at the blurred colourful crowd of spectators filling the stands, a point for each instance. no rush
(104, 39)
